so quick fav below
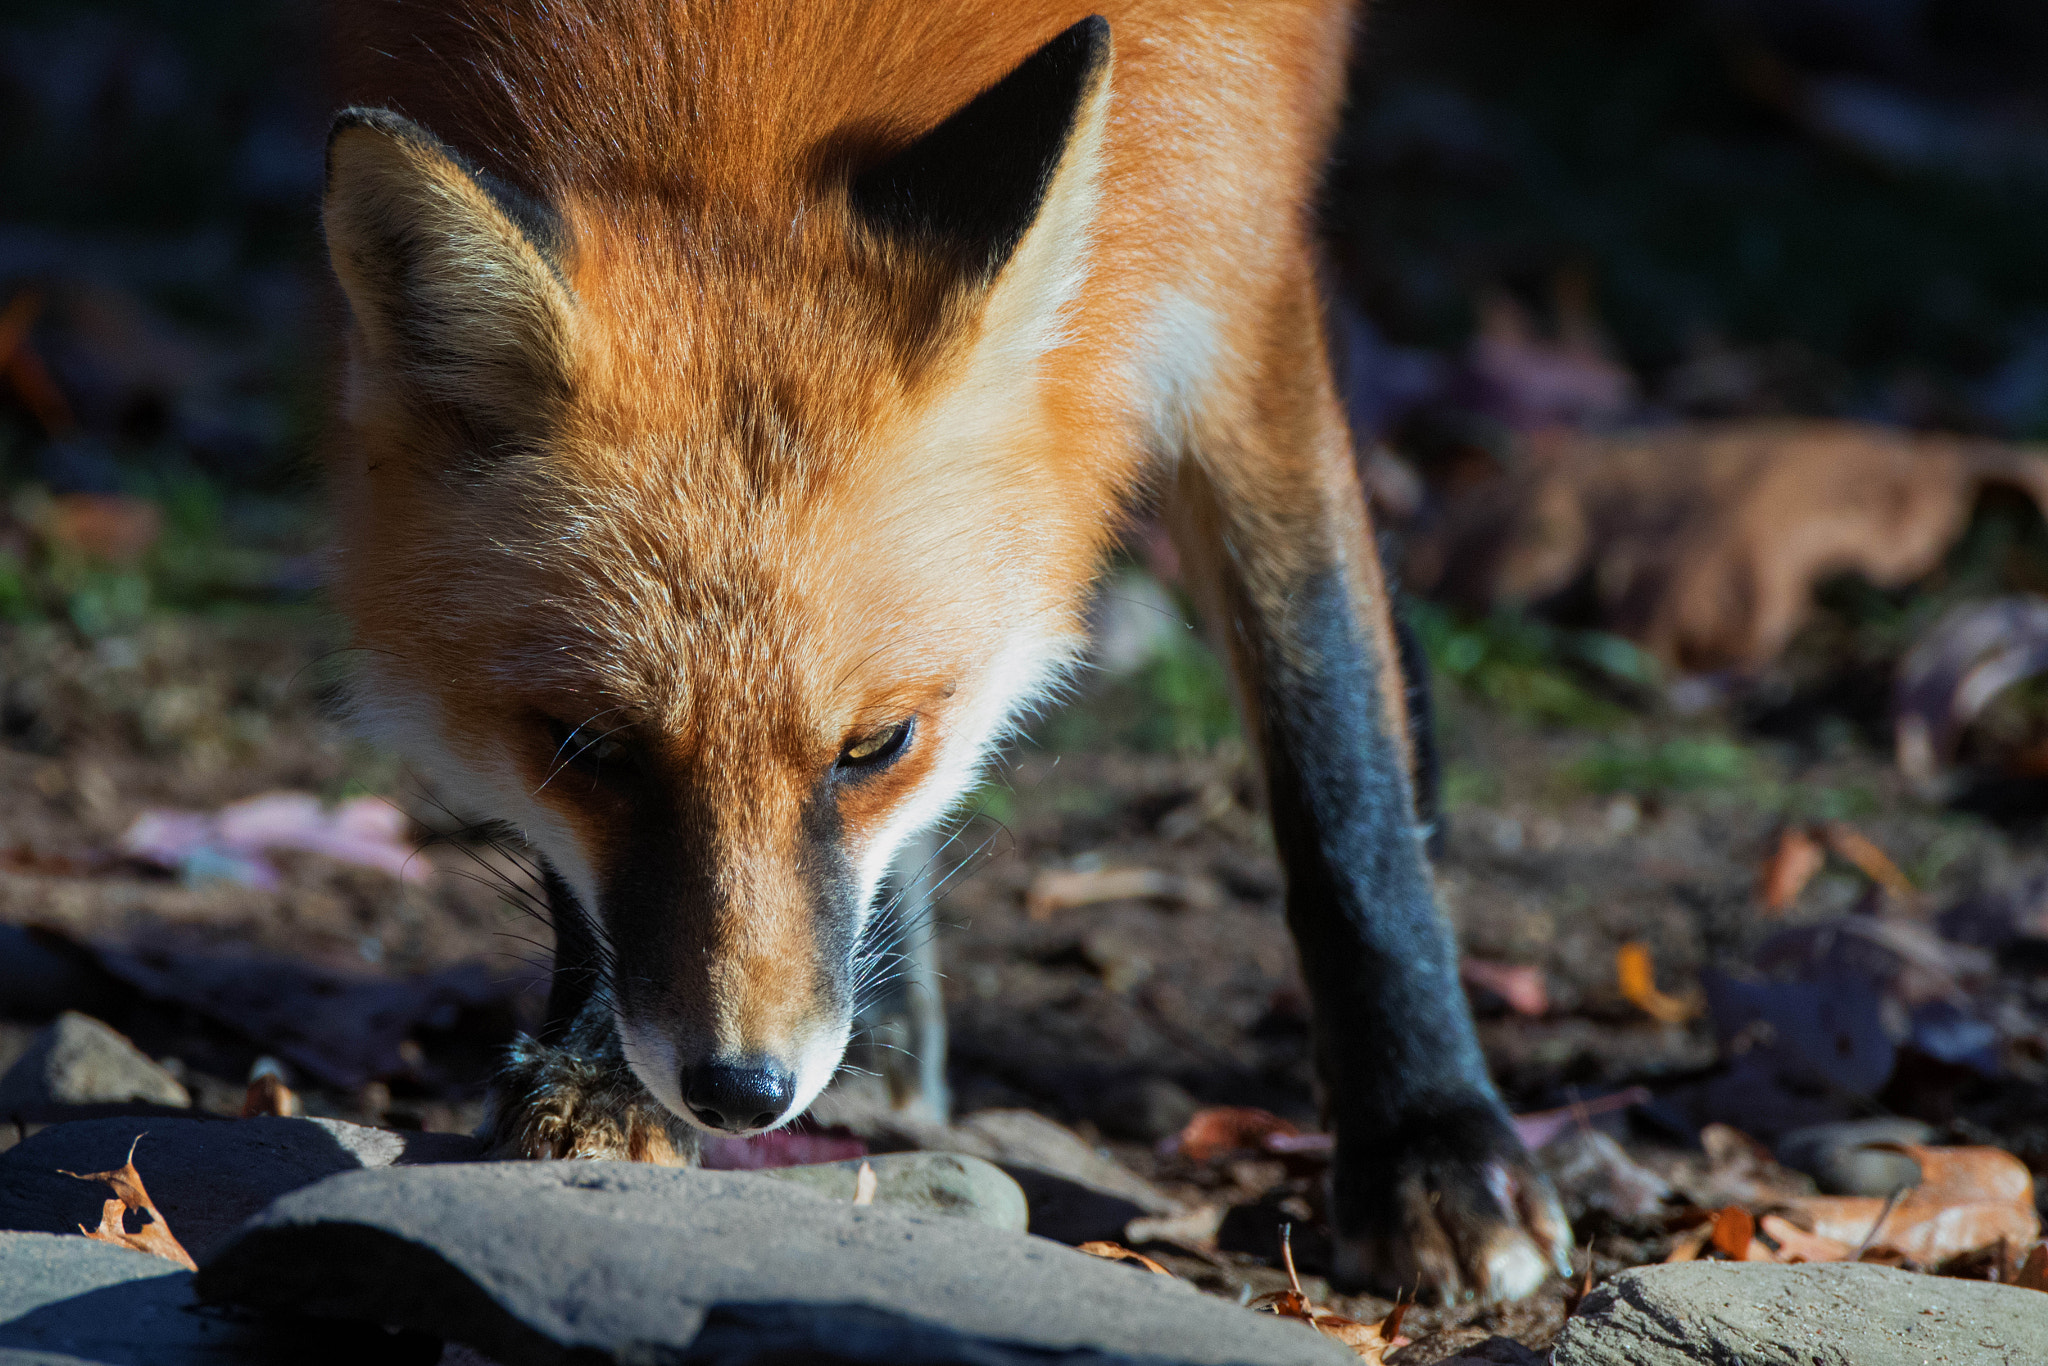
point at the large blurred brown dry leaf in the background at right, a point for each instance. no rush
(1705, 542)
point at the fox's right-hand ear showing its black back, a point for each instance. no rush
(974, 185)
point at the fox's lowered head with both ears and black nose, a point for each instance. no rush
(712, 533)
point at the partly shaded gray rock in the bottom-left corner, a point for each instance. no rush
(69, 1301)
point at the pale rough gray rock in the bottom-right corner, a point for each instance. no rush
(1756, 1314)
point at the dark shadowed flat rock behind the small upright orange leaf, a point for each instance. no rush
(206, 1175)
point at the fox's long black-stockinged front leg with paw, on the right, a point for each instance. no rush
(1431, 1185)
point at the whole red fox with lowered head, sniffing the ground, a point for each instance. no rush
(740, 400)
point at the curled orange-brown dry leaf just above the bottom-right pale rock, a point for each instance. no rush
(1969, 1197)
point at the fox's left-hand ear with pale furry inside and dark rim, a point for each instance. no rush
(445, 271)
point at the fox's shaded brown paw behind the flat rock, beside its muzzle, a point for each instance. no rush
(556, 1103)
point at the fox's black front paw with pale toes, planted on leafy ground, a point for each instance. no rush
(1453, 1209)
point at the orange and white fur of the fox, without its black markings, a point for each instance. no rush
(751, 480)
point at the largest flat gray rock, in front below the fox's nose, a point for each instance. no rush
(554, 1263)
